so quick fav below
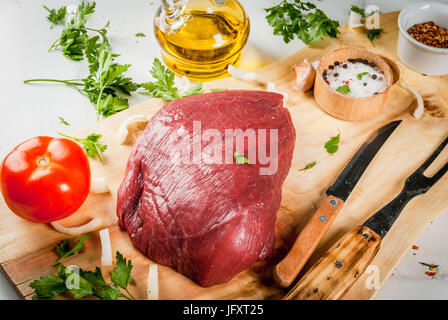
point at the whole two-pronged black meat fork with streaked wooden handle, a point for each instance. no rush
(341, 266)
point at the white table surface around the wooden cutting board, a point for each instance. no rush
(31, 110)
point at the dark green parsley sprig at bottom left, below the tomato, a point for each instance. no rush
(91, 283)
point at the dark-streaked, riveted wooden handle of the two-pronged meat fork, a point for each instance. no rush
(339, 268)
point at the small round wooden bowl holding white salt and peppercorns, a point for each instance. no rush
(344, 107)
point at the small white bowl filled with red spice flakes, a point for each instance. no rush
(423, 37)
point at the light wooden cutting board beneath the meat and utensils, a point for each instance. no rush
(26, 249)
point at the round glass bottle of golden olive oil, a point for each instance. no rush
(200, 38)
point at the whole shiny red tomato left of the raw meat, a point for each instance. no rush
(45, 179)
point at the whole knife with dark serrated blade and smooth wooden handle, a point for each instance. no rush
(287, 270)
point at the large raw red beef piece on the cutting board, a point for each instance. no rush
(210, 221)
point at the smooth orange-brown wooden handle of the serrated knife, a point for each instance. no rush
(287, 270)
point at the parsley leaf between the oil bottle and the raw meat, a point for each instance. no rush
(164, 87)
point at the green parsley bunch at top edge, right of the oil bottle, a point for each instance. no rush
(297, 18)
